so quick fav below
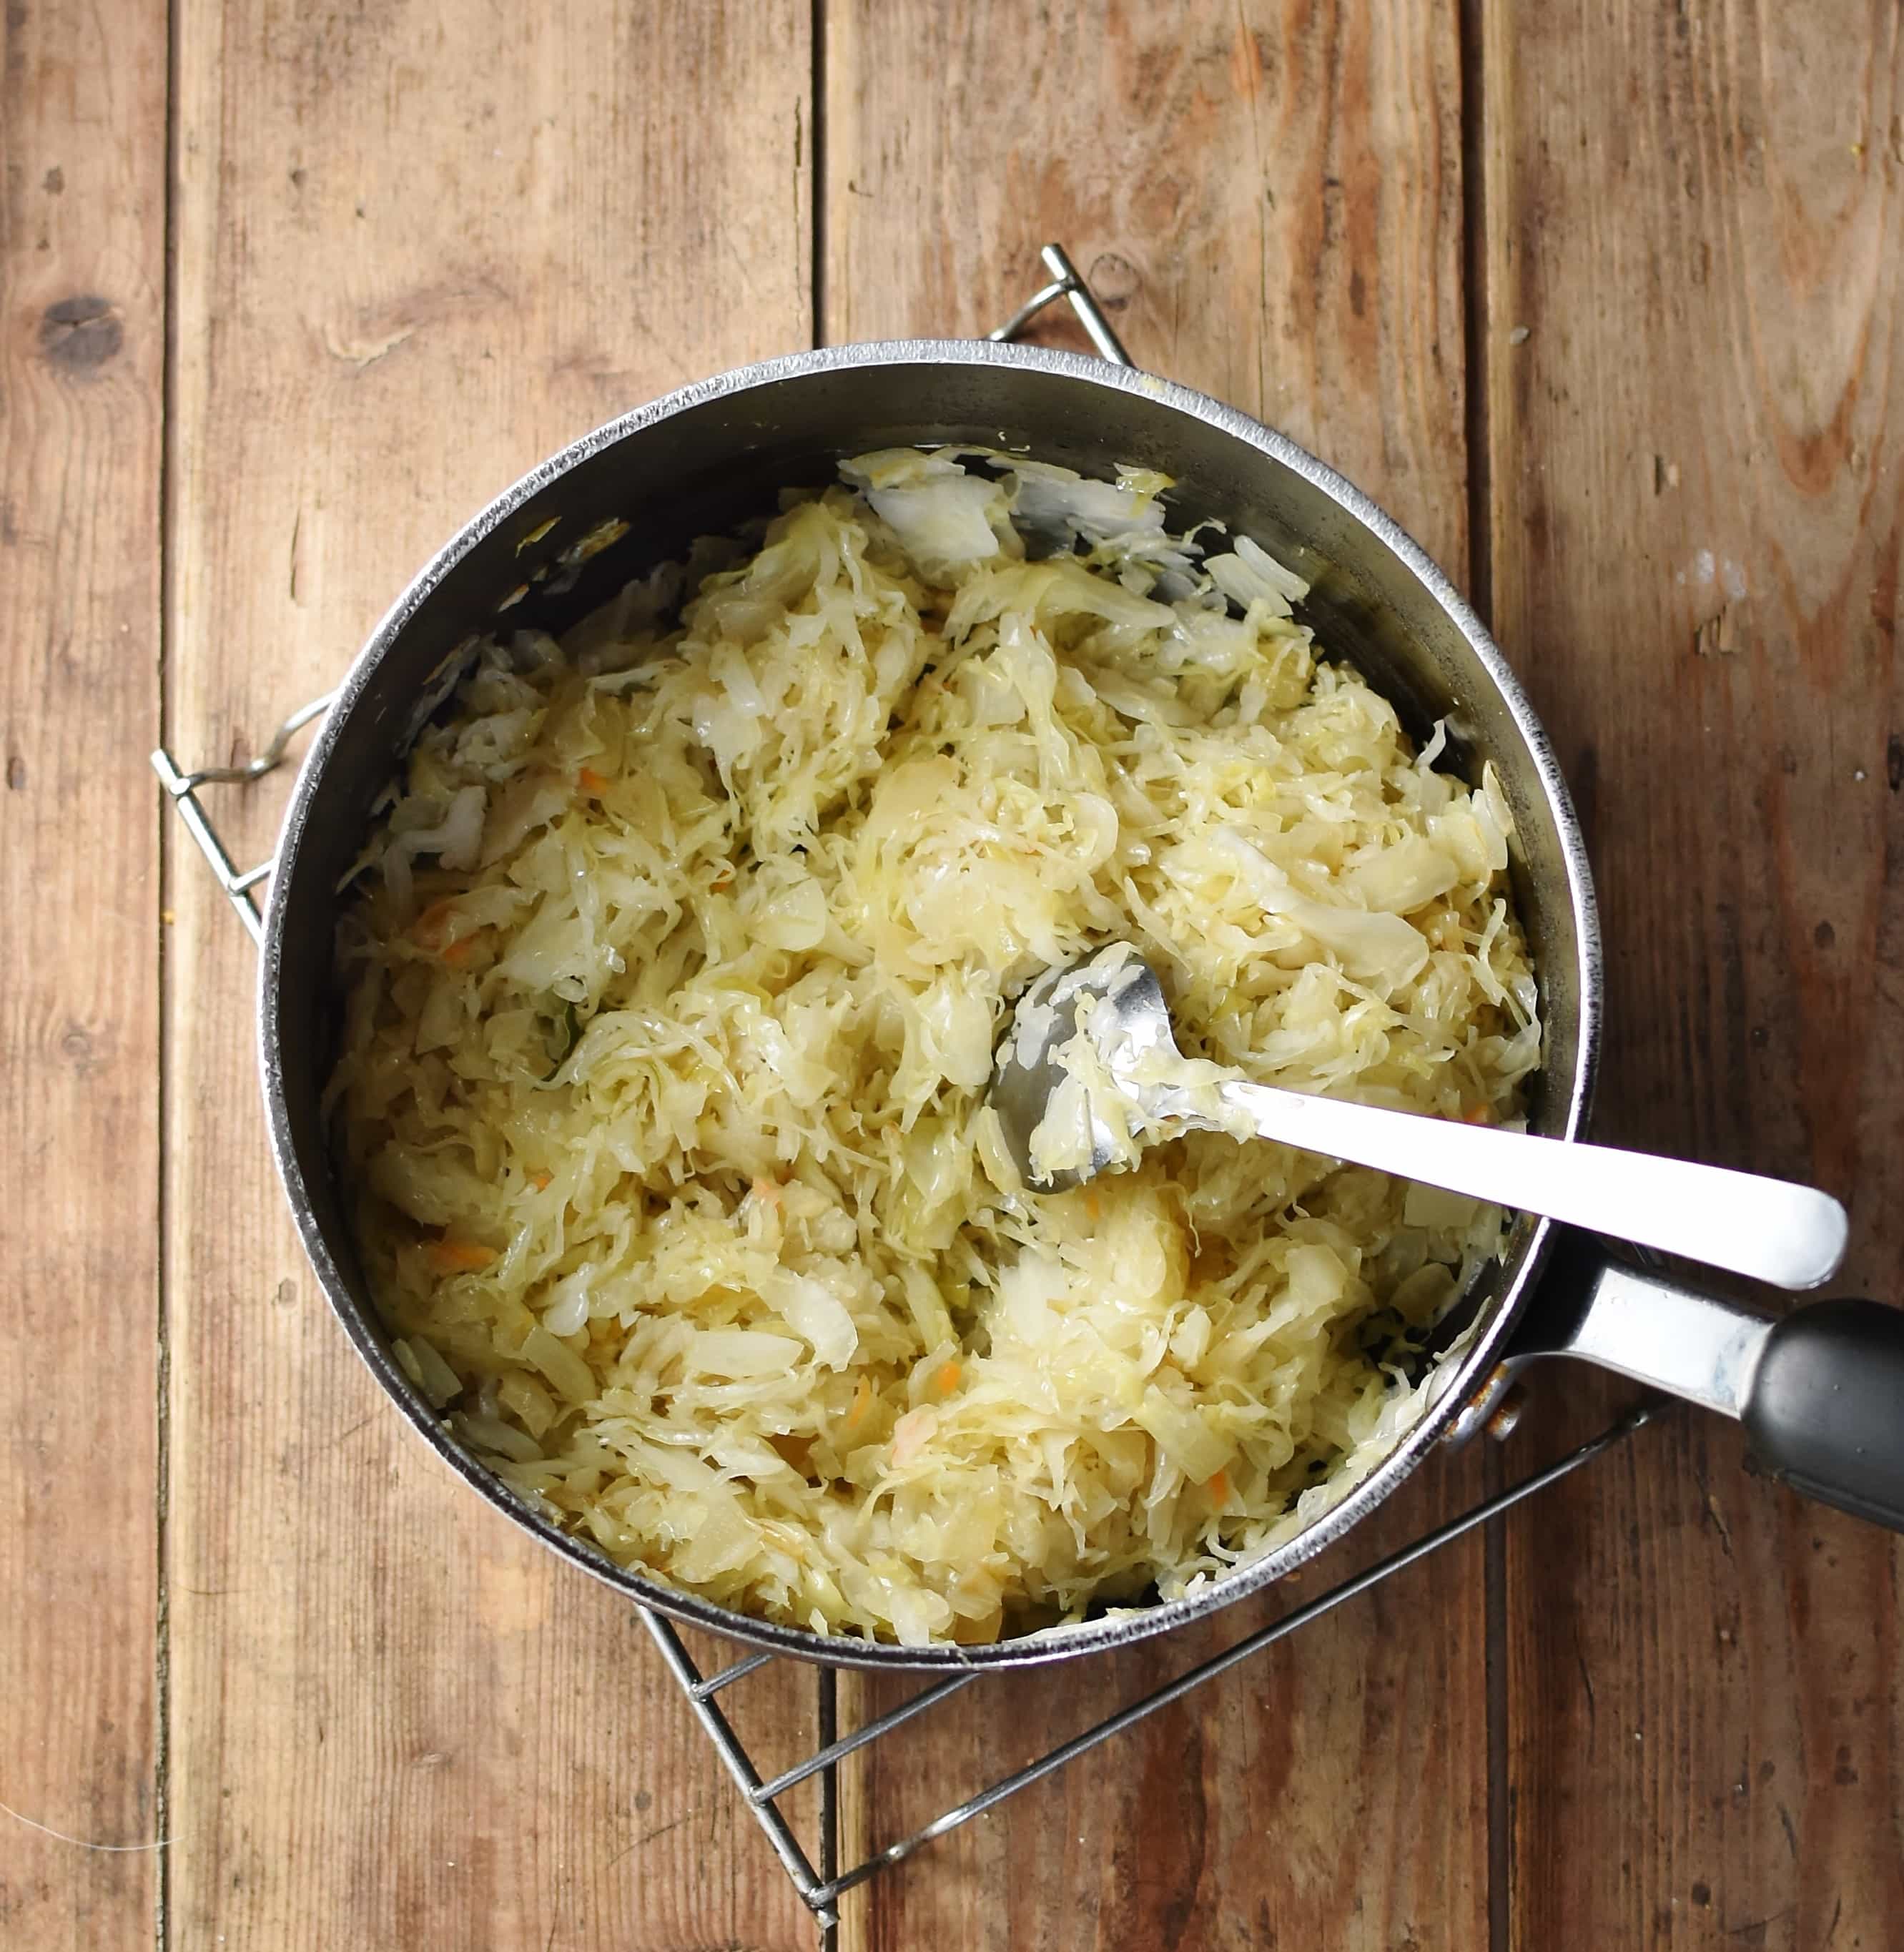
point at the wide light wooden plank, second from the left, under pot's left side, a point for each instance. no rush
(419, 247)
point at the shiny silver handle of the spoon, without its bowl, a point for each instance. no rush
(1768, 1229)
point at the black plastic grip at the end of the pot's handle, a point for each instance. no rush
(1827, 1406)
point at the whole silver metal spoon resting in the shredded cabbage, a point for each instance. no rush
(1089, 1071)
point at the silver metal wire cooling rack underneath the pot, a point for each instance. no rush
(815, 1873)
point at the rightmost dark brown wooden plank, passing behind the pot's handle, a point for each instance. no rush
(1696, 399)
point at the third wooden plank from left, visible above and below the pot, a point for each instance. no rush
(1270, 202)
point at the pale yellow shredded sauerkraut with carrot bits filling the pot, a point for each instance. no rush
(673, 975)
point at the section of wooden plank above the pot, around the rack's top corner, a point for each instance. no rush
(1266, 198)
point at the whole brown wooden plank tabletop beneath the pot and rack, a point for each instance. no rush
(1602, 302)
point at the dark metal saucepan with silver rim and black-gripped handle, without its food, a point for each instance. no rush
(1823, 1389)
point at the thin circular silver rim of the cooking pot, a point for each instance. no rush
(1522, 1268)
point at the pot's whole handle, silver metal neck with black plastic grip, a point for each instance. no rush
(1821, 1391)
